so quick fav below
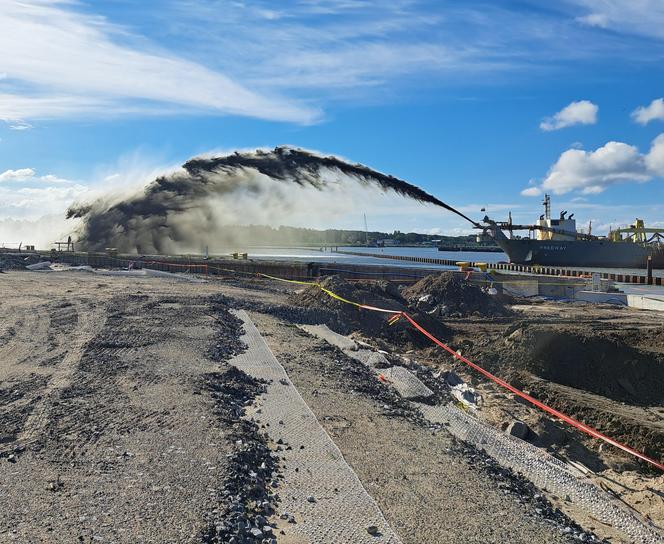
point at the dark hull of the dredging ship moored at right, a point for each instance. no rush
(576, 253)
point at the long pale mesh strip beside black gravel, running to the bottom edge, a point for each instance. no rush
(320, 489)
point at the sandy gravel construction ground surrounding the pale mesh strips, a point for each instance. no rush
(110, 429)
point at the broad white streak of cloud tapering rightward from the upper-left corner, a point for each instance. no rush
(69, 63)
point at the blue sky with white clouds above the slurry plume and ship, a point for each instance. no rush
(484, 104)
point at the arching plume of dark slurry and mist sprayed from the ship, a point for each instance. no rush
(176, 210)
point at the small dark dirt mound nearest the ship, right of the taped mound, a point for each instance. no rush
(449, 294)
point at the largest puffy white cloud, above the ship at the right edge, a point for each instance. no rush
(591, 172)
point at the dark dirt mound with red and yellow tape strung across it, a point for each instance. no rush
(346, 318)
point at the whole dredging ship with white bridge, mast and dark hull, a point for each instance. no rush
(557, 242)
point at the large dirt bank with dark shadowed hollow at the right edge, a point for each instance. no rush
(600, 378)
